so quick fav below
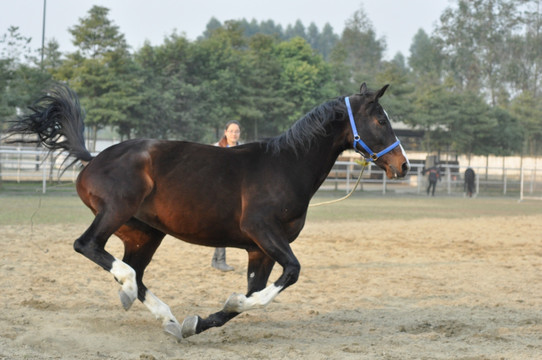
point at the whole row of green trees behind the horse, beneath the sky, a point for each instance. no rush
(472, 86)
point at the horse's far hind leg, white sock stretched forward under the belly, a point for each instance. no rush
(140, 243)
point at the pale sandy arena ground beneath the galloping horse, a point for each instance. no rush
(423, 289)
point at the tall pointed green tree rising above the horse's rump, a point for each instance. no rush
(102, 73)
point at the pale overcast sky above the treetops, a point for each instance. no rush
(153, 20)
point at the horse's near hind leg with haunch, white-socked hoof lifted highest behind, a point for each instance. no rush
(113, 208)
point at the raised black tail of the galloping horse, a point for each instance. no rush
(57, 120)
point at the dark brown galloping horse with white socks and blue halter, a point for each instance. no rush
(254, 196)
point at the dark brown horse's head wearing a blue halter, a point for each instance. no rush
(372, 135)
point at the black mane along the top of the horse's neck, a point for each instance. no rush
(303, 133)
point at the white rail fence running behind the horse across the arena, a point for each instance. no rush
(18, 164)
